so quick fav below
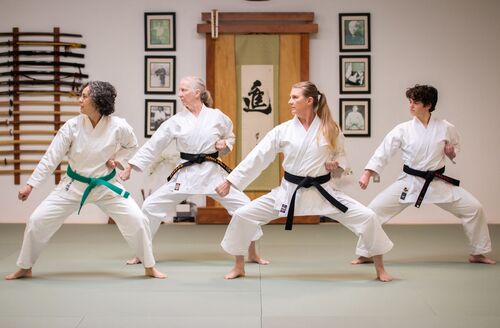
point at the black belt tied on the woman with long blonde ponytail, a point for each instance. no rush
(306, 182)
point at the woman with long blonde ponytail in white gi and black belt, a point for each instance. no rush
(312, 145)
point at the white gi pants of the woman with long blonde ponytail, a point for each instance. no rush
(247, 221)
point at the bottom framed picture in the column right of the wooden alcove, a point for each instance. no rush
(354, 117)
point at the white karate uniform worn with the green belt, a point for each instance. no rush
(87, 149)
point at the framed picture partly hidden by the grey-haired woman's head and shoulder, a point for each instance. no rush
(157, 111)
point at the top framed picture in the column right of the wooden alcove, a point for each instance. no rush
(354, 32)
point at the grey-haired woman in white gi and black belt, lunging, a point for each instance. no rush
(201, 135)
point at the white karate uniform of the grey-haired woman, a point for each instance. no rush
(193, 135)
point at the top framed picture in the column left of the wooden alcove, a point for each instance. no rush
(159, 31)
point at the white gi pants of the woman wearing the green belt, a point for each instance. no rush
(53, 211)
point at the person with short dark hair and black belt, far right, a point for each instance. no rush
(425, 142)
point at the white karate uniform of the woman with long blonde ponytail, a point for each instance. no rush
(304, 155)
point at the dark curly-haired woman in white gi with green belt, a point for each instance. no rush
(94, 143)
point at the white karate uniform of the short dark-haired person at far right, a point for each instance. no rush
(423, 149)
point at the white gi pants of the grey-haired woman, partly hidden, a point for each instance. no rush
(164, 200)
